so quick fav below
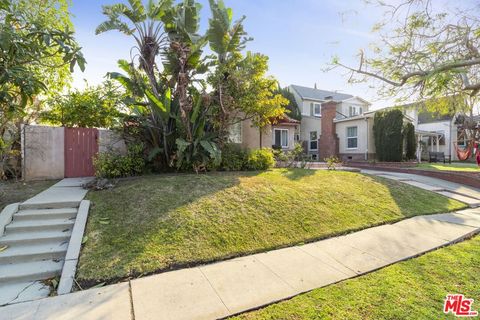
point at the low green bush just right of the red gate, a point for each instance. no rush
(115, 165)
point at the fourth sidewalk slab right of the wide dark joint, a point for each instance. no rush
(343, 257)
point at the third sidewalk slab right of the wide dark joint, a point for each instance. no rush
(299, 269)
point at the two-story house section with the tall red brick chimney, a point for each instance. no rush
(334, 123)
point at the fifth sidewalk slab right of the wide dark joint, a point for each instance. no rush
(390, 243)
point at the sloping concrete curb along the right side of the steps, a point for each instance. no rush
(73, 251)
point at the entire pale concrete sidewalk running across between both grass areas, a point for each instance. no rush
(229, 287)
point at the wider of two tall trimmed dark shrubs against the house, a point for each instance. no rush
(387, 131)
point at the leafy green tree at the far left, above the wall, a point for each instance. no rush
(37, 53)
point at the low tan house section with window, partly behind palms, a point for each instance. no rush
(281, 134)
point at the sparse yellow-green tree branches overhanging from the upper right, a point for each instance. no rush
(426, 52)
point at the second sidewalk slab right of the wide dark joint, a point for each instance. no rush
(244, 283)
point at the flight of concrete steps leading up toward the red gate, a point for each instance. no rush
(36, 239)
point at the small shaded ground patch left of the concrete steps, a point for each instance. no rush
(18, 191)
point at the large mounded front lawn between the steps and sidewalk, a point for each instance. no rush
(156, 223)
